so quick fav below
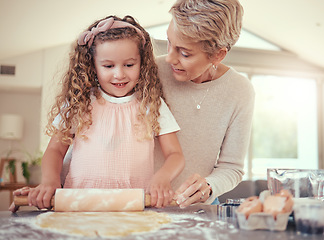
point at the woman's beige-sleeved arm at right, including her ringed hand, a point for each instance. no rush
(228, 168)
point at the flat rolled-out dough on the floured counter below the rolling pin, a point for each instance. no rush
(103, 224)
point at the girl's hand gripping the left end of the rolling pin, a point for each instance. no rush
(41, 195)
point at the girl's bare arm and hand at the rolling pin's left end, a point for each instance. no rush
(51, 168)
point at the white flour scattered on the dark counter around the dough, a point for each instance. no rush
(182, 226)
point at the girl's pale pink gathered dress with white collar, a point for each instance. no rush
(112, 156)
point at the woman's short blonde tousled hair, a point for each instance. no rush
(214, 24)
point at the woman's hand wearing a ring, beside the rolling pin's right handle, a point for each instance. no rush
(194, 190)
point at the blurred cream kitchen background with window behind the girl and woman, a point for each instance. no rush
(281, 50)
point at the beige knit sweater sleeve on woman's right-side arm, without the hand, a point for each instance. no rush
(228, 171)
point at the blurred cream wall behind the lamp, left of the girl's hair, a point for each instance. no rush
(30, 93)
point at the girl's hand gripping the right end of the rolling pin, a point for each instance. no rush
(161, 191)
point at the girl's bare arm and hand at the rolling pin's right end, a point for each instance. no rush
(160, 187)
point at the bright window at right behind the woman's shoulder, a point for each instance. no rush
(284, 132)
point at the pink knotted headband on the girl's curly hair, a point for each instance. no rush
(102, 26)
